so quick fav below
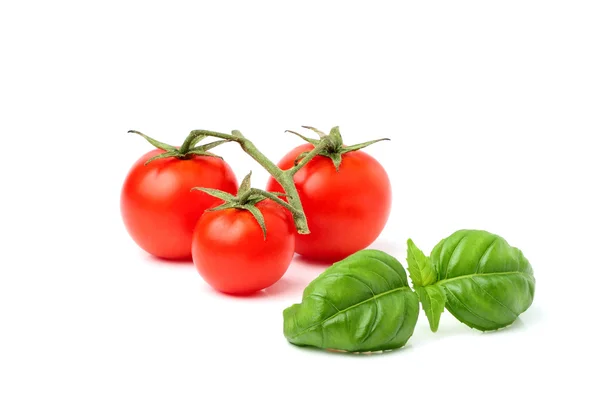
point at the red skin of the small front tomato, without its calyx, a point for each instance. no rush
(231, 254)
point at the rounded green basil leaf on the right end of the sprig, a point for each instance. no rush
(488, 283)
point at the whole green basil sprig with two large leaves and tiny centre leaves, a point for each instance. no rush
(364, 303)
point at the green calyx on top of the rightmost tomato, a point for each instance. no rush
(335, 148)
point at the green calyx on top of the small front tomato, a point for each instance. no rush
(247, 198)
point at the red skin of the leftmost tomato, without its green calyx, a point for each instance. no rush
(158, 207)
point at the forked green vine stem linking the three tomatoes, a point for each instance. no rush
(285, 178)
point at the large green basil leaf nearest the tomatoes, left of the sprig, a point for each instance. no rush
(360, 304)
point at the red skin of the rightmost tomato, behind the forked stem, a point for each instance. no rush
(345, 210)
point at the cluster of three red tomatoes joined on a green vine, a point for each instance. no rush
(242, 239)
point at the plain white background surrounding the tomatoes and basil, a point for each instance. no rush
(492, 107)
